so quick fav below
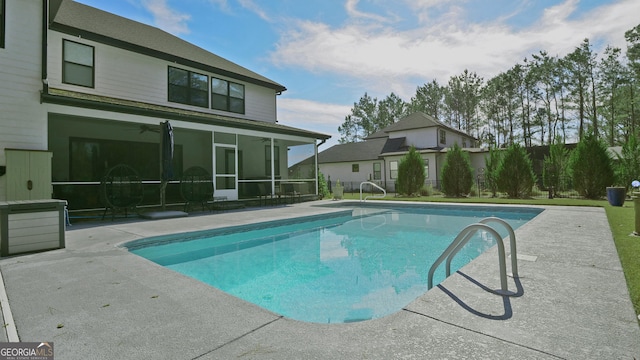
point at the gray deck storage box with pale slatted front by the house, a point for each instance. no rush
(31, 225)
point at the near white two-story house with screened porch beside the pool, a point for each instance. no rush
(83, 90)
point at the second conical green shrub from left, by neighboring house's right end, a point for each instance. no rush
(457, 174)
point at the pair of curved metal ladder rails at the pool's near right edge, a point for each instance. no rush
(465, 235)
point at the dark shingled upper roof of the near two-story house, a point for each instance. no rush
(77, 19)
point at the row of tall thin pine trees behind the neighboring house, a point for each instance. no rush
(541, 101)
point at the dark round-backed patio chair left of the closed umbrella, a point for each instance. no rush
(121, 189)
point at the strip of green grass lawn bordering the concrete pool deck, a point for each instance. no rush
(621, 221)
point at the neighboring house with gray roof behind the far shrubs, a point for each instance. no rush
(376, 159)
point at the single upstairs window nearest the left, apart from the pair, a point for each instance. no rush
(77, 64)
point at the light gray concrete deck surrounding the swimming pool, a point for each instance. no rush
(95, 300)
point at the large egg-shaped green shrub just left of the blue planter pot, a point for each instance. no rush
(591, 168)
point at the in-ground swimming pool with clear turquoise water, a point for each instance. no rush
(352, 265)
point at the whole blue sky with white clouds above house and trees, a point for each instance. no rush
(328, 53)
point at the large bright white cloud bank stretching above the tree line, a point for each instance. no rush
(385, 59)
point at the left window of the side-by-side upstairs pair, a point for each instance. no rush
(187, 87)
